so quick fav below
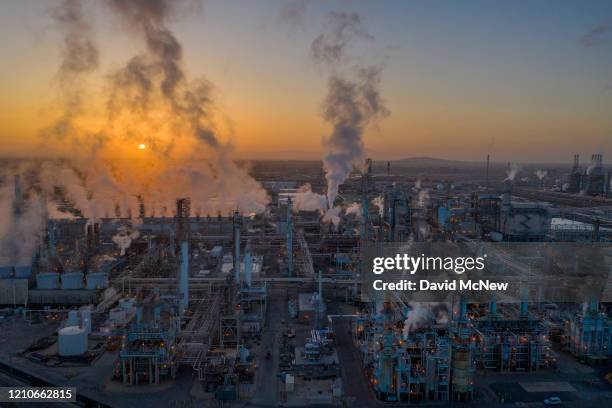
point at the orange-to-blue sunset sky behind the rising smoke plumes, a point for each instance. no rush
(523, 80)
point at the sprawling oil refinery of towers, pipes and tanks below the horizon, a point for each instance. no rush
(196, 309)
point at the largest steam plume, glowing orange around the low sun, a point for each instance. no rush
(150, 101)
